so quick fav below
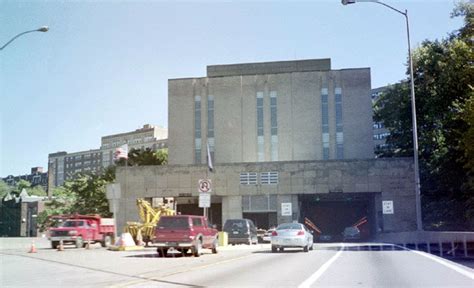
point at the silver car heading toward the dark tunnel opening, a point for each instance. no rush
(292, 235)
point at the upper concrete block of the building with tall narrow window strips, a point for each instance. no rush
(298, 86)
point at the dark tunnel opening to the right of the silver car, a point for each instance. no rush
(333, 213)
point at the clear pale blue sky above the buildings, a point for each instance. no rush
(103, 67)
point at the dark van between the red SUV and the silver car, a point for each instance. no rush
(241, 231)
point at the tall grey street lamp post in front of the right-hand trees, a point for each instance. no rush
(419, 225)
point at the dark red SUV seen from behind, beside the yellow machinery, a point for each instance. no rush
(184, 233)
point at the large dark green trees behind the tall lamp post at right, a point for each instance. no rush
(443, 76)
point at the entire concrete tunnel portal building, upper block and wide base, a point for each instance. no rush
(288, 140)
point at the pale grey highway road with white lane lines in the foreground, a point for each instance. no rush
(328, 265)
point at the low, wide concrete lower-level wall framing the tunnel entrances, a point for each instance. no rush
(387, 179)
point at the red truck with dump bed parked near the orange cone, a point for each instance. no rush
(82, 229)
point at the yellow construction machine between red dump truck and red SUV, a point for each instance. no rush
(143, 232)
